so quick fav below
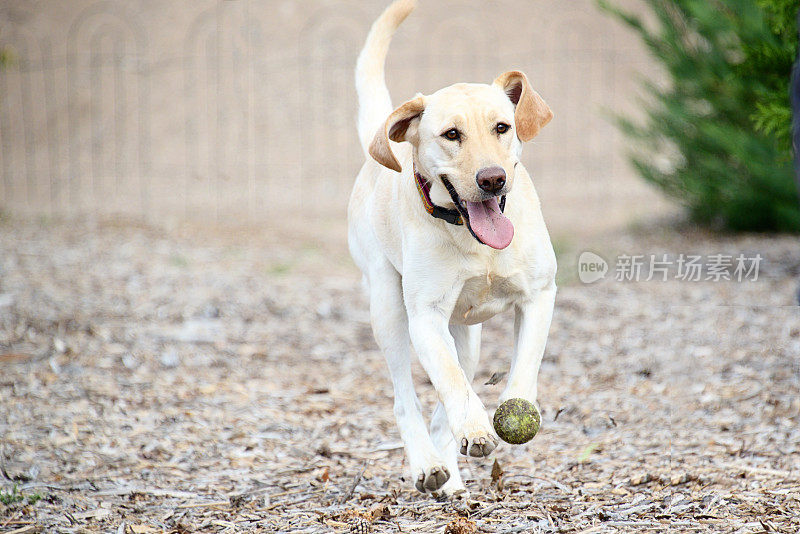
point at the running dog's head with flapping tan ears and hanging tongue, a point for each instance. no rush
(467, 140)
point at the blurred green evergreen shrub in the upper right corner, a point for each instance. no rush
(717, 137)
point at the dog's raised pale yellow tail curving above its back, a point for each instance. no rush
(374, 102)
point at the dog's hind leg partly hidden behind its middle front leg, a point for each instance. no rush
(468, 346)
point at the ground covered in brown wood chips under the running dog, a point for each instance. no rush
(183, 381)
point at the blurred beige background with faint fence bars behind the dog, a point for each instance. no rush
(243, 110)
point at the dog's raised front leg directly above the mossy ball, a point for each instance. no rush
(531, 325)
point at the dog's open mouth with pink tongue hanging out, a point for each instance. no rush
(484, 219)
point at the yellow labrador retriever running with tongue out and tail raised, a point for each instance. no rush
(446, 227)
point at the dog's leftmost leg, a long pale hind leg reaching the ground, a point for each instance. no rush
(390, 327)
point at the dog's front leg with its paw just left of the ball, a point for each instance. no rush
(436, 349)
